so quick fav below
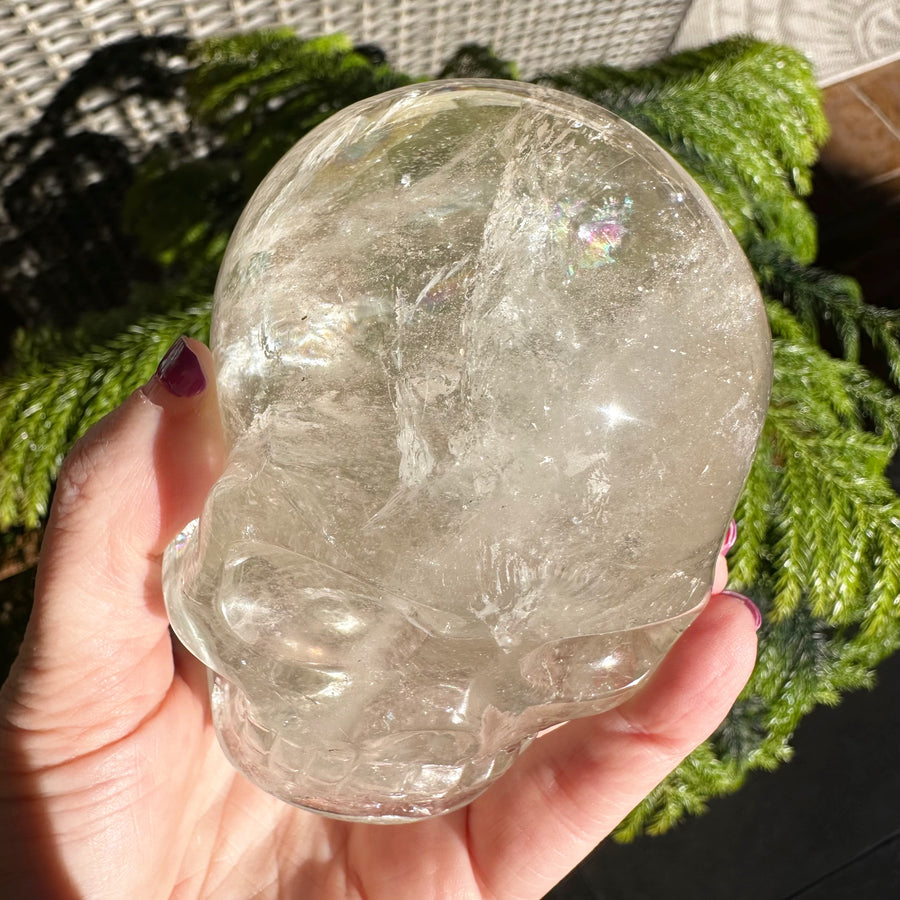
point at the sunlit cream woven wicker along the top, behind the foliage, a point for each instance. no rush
(43, 41)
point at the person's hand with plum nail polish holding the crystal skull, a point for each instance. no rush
(112, 783)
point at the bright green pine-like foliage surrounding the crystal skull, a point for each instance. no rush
(819, 545)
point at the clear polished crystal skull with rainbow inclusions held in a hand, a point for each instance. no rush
(492, 371)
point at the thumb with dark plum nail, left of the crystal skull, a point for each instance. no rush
(125, 490)
